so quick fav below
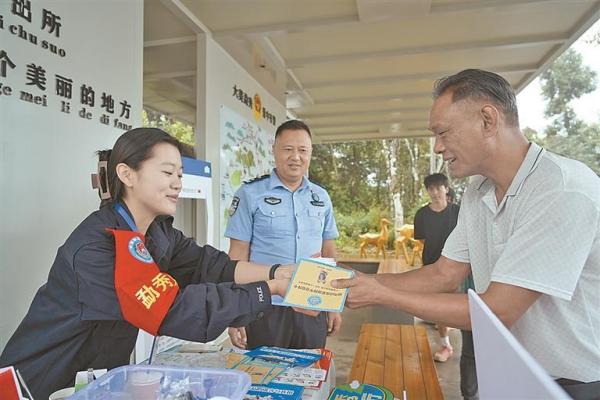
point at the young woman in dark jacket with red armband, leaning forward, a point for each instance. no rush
(125, 267)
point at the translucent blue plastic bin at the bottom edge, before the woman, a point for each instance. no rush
(148, 382)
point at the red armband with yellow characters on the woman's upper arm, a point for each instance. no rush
(145, 293)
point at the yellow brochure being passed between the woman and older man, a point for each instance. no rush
(310, 287)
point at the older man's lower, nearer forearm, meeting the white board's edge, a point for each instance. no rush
(449, 309)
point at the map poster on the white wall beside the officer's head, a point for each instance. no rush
(246, 153)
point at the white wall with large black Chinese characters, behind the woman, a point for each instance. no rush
(46, 156)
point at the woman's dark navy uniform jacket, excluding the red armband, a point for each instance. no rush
(75, 321)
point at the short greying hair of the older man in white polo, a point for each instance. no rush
(481, 85)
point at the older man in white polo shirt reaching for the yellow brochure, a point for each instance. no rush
(528, 229)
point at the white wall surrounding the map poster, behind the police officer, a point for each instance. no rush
(222, 72)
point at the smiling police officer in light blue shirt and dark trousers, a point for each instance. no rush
(279, 219)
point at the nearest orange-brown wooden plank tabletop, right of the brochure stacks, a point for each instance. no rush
(397, 357)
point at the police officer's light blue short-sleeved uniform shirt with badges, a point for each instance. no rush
(281, 226)
